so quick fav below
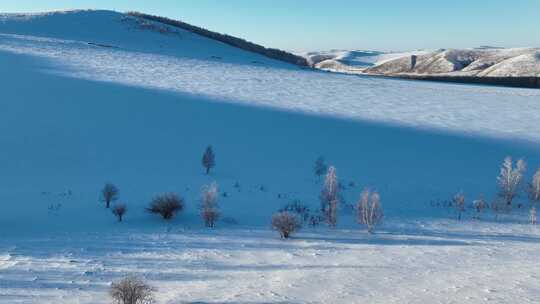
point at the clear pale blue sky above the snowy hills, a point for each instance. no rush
(302, 25)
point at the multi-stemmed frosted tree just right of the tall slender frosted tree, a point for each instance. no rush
(369, 209)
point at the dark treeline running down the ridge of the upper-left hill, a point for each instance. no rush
(227, 39)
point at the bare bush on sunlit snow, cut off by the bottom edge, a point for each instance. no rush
(131, 290)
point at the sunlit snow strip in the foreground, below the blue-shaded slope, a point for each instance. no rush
(478, 263)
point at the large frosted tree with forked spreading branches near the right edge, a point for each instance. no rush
(510, 178)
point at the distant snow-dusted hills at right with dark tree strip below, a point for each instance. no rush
(512, 66)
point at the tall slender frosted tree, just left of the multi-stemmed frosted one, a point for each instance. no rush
(330, 196)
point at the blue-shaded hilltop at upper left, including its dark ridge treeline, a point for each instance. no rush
(141, 32)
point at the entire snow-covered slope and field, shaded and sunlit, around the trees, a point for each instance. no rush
(93, 96)
